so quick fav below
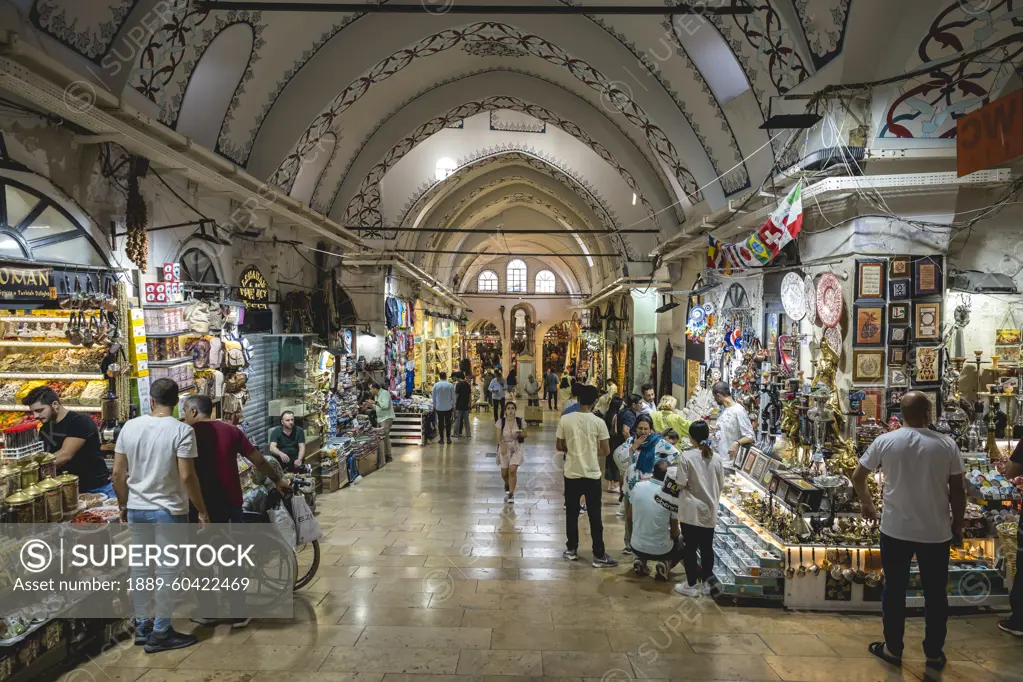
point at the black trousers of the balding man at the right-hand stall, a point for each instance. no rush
(933, 562)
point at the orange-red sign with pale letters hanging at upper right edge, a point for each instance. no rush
(991, 135)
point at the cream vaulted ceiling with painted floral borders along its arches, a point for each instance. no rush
(616, 121)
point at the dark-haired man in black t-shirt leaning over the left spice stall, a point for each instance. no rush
(74, 438)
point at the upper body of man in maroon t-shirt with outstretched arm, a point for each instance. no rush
(219, 445)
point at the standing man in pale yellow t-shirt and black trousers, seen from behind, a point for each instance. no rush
(584, 438)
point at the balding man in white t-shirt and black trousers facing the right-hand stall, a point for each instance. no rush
(924, 506)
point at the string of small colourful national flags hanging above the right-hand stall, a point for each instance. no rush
(761, 249)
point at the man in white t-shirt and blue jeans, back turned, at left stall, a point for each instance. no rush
(155, 479)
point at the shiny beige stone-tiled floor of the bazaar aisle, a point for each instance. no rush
(427, 577)
